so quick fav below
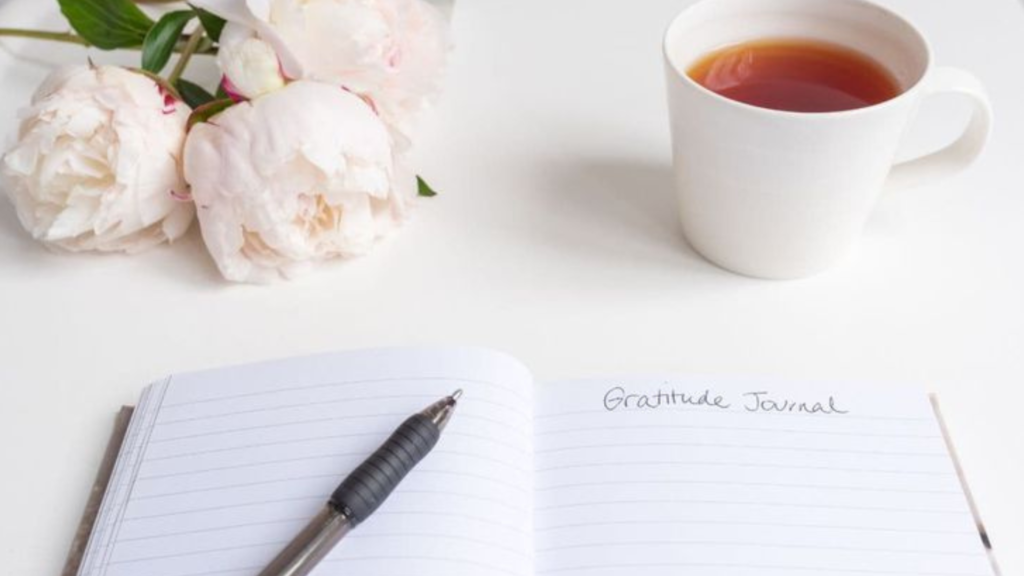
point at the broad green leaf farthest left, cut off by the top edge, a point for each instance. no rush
(108, 24)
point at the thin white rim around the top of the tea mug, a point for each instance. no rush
(906, 94)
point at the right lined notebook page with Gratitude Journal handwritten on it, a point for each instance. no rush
(727, 479)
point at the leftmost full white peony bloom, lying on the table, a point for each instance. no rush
(97, 162)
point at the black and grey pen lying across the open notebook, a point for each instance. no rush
(365, 489)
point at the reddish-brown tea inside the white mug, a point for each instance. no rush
(796, 75)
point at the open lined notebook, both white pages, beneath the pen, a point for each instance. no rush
(645, 477)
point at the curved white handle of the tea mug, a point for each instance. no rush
(962, 152)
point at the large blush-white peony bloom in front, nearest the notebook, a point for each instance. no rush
(290, 179)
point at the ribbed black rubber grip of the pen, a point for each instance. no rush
(367, 488)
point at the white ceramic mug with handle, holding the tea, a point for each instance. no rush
(778, 194)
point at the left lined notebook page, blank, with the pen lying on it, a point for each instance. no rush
(223, 469)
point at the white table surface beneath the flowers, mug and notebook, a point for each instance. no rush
(556, 239)
